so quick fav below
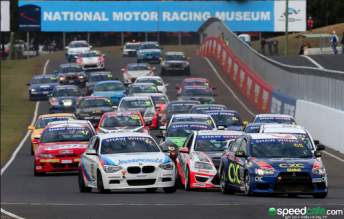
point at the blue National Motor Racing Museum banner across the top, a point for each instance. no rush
(169, 16)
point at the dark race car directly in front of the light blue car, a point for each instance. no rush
(92, 108)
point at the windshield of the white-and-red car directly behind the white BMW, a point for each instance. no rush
(121, 120)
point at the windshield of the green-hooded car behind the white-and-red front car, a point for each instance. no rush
(185, 130)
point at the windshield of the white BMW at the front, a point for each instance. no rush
(128, 145)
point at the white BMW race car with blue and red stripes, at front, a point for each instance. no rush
(126, 161)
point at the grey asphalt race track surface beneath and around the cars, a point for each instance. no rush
(57, 195)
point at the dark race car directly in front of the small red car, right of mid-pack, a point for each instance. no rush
(201, 93)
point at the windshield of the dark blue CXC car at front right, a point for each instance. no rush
(273, 148)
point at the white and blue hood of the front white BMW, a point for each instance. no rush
(134, 158)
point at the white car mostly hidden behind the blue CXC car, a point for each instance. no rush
(296, 130)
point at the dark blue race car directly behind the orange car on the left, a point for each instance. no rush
(64, 99)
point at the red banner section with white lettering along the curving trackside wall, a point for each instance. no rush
(254, 89)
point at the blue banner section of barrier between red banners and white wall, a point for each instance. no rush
(282, 104)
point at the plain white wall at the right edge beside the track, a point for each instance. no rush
(325, 124)
